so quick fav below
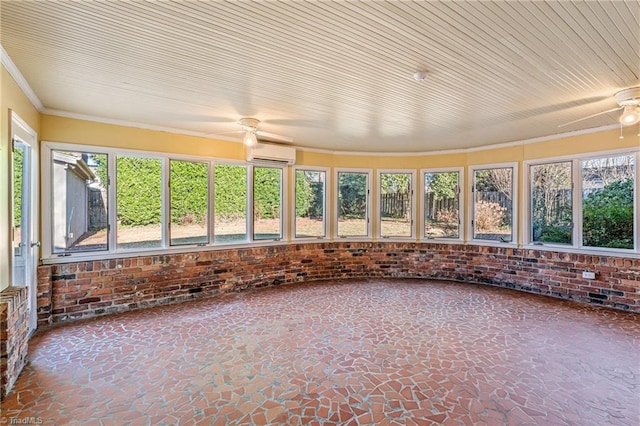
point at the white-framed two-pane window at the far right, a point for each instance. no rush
(590, 203)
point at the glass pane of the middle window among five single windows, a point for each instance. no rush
(395, 205)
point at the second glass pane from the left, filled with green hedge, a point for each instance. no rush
(139, 202)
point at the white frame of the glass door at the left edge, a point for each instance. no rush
(21, 131)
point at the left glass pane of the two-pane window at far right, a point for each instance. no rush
(551, 203)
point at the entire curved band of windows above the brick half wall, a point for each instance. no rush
(120, 202)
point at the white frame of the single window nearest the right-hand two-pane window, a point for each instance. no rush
(514, 205)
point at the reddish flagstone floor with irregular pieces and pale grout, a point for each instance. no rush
(362, 352)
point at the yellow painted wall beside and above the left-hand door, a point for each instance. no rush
(12, 98)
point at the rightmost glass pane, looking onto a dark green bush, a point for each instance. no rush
(608, 202)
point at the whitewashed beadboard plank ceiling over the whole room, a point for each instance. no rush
(335, 75)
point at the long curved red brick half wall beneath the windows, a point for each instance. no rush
(85, 289)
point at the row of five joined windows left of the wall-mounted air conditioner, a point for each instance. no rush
(123, 202)
